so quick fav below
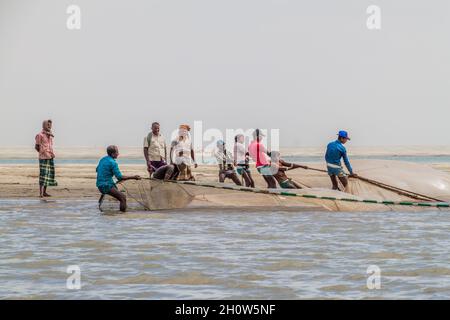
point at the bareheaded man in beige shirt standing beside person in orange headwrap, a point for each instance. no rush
(155, 149)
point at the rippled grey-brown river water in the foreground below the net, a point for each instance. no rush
(220, 255)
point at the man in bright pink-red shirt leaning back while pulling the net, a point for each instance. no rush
(258, 153)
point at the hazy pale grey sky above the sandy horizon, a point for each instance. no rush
(308, 68)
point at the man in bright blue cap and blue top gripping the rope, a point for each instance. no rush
(335, 152)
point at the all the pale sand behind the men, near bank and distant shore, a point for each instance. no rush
(77, 181)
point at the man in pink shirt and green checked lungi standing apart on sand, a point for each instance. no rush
(44, 146)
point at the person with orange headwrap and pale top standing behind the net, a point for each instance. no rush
(182, 154)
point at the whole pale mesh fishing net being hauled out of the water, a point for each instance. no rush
(360, 196)
